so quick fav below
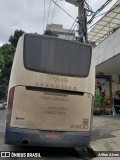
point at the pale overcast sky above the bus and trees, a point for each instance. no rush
(29, 15)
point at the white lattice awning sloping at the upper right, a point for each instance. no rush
(106, 25)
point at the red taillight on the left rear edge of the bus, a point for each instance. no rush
(10, 98)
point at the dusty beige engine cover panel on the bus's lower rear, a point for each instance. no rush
(50, 110)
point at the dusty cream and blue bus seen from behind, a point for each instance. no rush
(50, 94)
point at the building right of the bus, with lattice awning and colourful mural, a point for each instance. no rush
(106, 37)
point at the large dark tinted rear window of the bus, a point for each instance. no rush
(55, 56)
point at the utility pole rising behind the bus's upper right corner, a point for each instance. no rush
(82, 19)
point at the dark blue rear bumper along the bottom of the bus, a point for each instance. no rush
(17, 136)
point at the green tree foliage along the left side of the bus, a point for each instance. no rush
(6, 58)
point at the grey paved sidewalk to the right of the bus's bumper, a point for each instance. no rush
(106, 133)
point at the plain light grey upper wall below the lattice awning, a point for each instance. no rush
(108, 48)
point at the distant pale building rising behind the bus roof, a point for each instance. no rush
(61, 32)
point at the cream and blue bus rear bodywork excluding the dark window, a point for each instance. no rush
(37, 103)
